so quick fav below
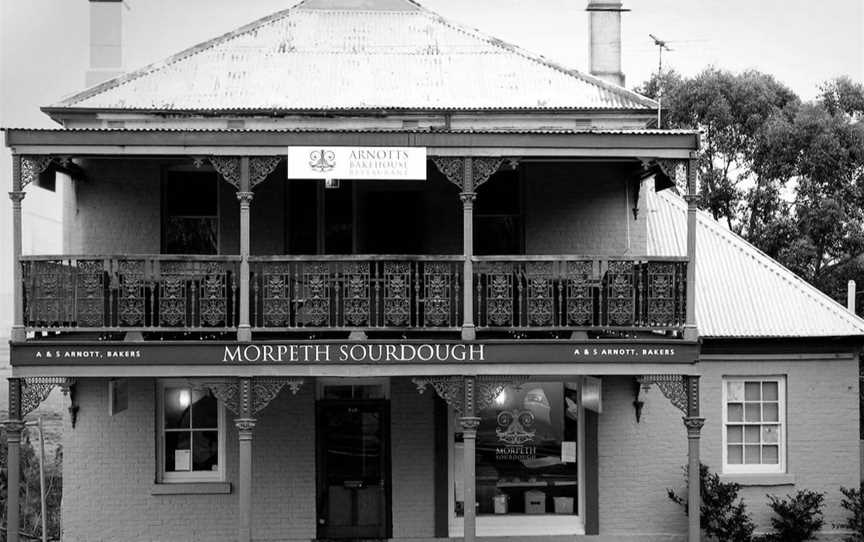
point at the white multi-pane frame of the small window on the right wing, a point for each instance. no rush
(780, 466)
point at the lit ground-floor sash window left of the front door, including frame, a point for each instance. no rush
(191, 434)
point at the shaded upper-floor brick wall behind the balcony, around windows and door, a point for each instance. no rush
(573, 209)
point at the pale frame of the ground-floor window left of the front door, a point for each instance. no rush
(168, 477)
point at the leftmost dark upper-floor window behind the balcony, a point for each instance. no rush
(191, 213)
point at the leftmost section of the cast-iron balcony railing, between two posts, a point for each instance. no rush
(130, 293)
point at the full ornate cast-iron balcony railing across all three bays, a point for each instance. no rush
(315, 294)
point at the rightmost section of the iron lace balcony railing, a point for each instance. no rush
(568, 292)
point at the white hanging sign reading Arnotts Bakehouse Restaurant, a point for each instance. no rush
(378, 163)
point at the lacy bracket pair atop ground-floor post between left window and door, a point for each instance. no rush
(246, 397)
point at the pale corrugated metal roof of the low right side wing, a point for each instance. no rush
(740, 290)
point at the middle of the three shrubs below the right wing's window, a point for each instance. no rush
(797, 517)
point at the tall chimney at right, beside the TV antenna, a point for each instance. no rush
(605, 36)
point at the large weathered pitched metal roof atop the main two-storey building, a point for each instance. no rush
(354, 54)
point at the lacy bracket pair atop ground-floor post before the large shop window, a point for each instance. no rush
(475, 393)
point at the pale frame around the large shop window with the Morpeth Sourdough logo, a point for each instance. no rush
(520, 524)
